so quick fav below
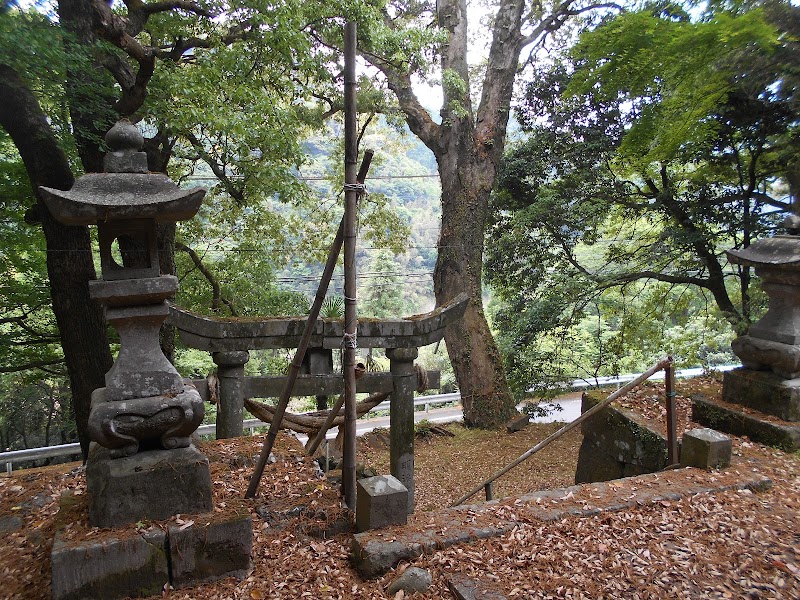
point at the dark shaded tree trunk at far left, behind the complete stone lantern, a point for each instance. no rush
(69, 254)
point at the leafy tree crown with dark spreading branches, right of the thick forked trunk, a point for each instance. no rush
(646, 158)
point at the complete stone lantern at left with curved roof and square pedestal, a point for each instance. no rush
(145, 408)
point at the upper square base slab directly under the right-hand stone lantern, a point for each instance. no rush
(763, 391)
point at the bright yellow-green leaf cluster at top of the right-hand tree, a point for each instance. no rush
(672, 71)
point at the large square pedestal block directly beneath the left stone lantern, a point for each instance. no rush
(154, 484)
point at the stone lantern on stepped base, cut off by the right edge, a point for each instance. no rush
(761, 399)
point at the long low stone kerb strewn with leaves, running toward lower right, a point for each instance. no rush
(374, 553)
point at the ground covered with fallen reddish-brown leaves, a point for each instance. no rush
(726, 545)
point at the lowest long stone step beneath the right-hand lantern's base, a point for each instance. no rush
(706, 411)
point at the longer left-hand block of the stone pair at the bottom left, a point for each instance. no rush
(128, 565)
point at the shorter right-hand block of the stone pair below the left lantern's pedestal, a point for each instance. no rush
(210, 551)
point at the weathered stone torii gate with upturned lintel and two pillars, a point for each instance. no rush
(230, 340)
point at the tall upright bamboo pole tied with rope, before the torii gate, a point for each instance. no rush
(350, 309)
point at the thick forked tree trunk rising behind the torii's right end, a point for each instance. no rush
(469, 149)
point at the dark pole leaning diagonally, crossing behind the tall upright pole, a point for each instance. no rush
(294, 368)
